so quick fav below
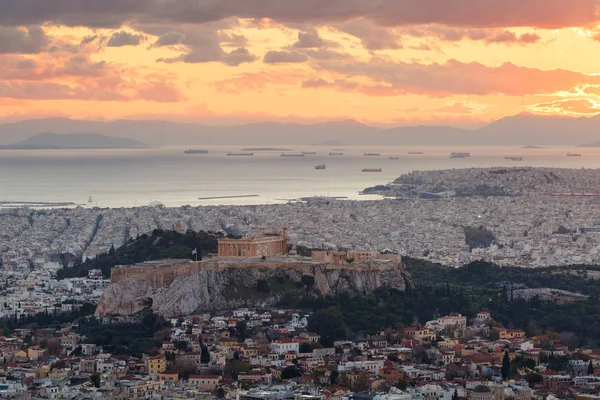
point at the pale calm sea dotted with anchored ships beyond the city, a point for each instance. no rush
(139, 177)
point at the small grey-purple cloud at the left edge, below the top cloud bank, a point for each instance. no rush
(30, 40)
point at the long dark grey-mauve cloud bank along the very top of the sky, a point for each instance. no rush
(546, 14)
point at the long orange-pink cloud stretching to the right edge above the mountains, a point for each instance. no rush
(394, 78)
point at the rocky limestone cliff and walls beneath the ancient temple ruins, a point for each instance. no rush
(178, 288)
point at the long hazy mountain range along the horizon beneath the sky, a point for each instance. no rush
(518, 130)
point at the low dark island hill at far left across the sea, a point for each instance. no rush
(75, 141)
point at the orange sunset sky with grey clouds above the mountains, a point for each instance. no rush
(383, 62)
